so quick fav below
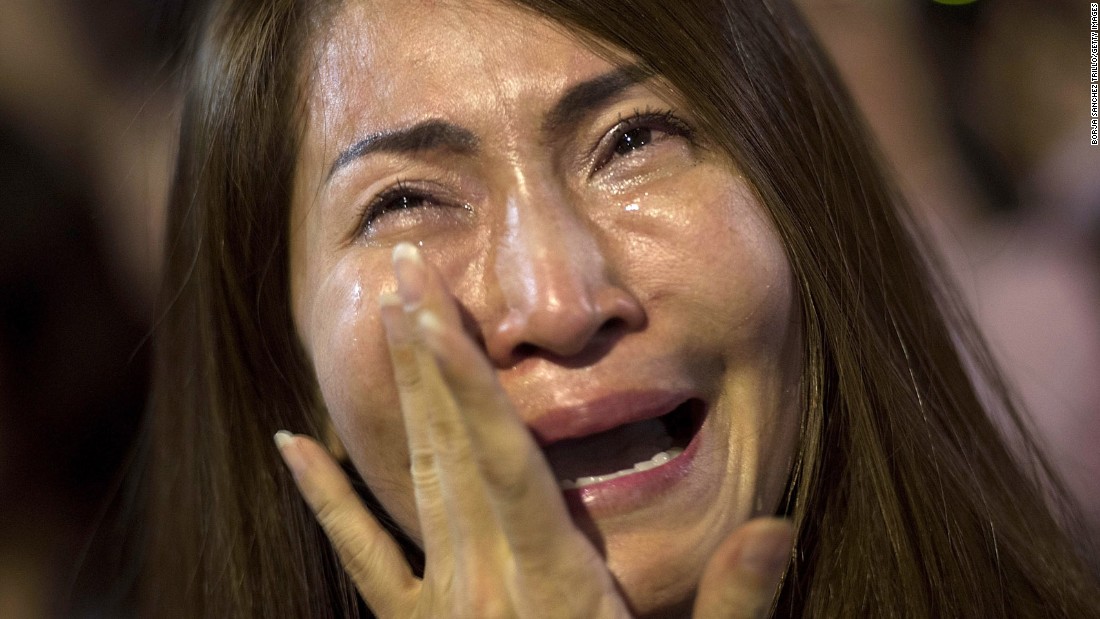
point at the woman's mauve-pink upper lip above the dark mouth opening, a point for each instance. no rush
(604, 413)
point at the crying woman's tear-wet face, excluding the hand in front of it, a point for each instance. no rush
(621, 275)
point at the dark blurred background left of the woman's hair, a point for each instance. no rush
(87, 108)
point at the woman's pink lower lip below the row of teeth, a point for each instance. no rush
(632, 492)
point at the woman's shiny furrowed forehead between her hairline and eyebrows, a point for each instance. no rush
(394, 63)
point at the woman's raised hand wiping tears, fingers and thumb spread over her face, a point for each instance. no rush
(498, 537)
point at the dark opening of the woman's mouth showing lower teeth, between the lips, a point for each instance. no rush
(626, 450)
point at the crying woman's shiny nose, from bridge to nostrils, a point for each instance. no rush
(562, 296)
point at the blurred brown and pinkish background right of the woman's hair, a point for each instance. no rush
(983, 110)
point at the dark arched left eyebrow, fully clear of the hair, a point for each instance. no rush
(427, 136)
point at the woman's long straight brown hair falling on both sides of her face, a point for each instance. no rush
(907, 499)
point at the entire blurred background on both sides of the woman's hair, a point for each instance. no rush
(983, 110)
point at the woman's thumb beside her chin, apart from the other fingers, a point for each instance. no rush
(740, 581)
